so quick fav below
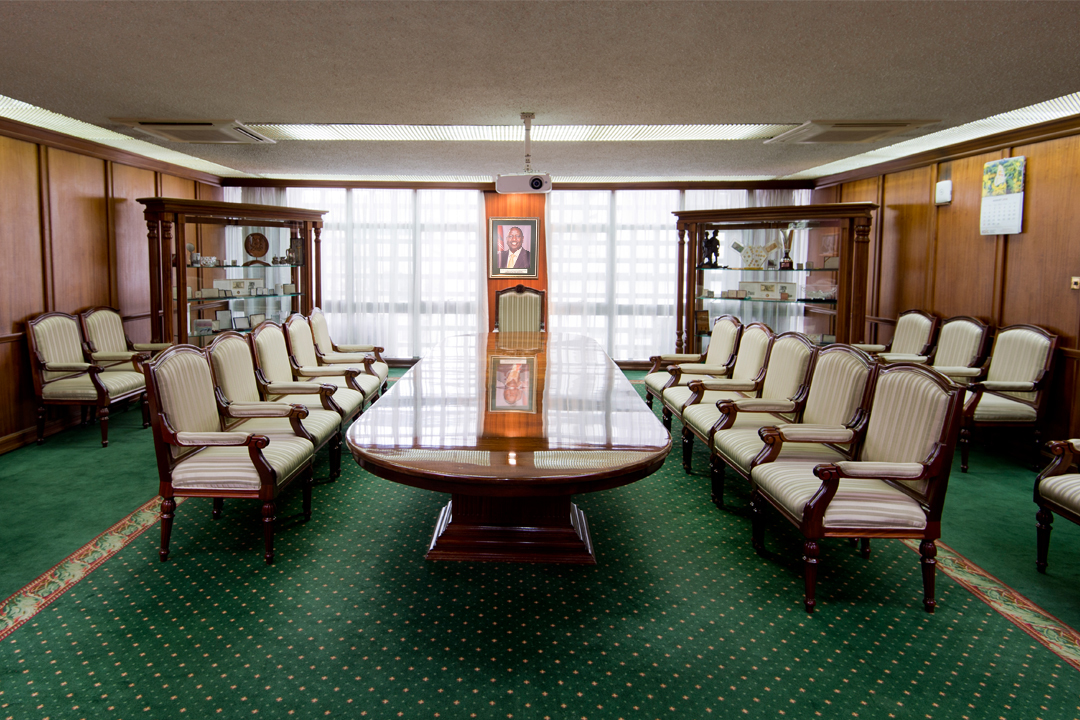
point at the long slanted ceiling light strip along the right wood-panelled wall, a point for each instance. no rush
(1056, 110)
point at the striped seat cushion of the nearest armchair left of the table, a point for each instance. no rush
(232, 469)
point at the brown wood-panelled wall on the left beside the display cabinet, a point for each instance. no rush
(73, 238)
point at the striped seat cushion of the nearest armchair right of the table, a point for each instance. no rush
(859, 504)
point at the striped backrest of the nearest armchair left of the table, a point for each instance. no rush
(182, 389)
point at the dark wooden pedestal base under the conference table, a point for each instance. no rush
(512, 529)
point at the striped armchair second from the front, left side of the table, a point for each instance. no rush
(238, 396)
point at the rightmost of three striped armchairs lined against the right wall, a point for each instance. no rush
(1012, 395)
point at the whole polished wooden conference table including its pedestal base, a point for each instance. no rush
(511, 425)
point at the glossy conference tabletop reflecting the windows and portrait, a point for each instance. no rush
(572, 411)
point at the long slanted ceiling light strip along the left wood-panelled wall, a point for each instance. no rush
(39, 118)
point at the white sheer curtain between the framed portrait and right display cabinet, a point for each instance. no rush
(612, 268)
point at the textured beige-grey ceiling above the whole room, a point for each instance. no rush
(571, 63)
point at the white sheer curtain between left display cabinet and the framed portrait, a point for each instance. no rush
(402, 269)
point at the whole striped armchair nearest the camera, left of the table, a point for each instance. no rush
(196, 459)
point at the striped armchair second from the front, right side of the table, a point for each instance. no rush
(836, 404)
